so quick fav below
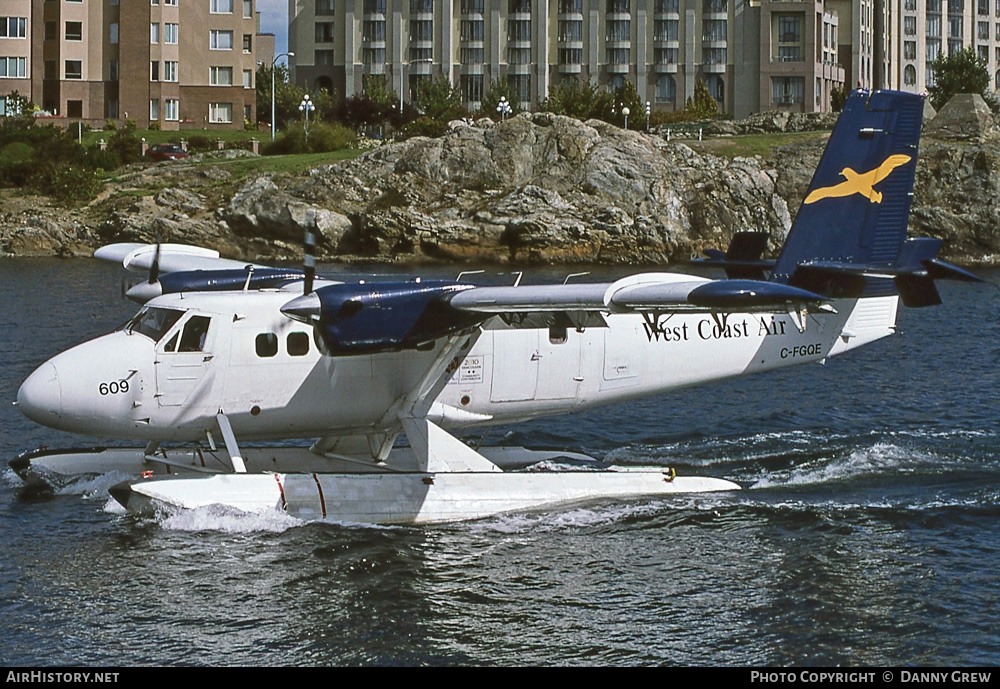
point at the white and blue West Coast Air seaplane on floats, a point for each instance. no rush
(223, 354)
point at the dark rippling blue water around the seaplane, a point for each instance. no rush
(867, 533)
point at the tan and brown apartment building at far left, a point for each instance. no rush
(178, 63)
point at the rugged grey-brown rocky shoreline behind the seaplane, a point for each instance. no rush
(538, 188)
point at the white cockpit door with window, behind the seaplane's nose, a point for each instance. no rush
(183, 361)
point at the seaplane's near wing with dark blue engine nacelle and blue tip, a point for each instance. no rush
(376, 317)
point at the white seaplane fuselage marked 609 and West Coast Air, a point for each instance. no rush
(266, 373)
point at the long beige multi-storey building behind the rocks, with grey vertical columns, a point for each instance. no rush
(752, 54)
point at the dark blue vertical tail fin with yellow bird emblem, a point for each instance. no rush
(854, 217)
